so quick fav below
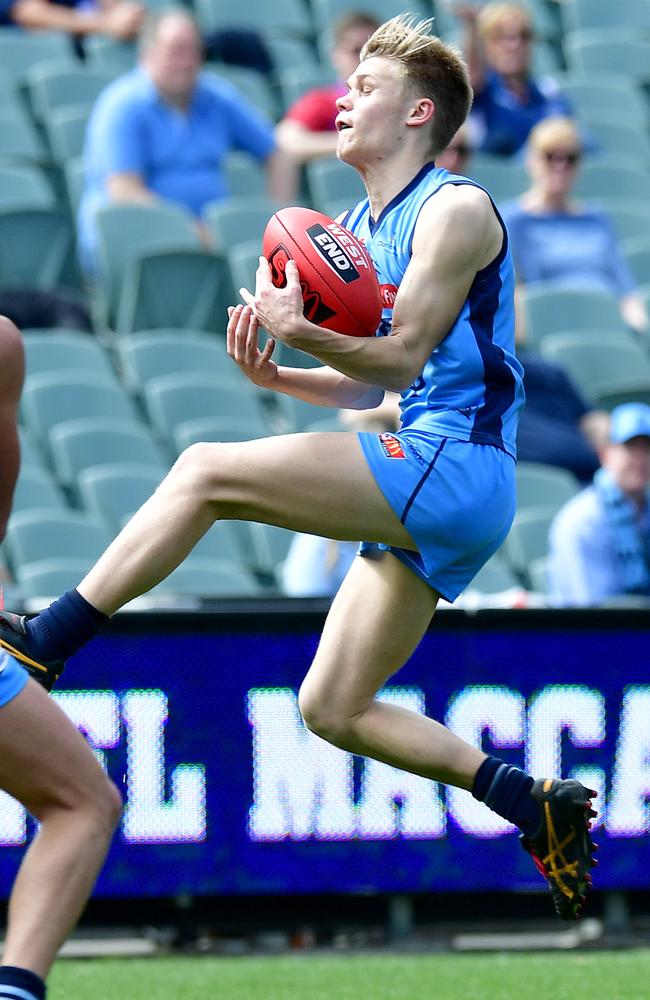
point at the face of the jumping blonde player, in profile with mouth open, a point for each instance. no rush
(372, 116)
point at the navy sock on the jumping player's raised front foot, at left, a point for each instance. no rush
(64, 627)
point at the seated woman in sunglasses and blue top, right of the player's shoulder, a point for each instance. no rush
(554, 237)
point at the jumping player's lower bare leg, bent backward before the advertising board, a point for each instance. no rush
(376, 620)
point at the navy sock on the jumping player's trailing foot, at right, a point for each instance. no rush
(506, 790)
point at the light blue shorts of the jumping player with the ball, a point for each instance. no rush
(455, 498)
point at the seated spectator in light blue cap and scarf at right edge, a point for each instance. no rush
(600, 540)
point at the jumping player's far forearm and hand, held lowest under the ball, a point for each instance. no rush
(321, 386)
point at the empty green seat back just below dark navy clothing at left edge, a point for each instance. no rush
(54, 350)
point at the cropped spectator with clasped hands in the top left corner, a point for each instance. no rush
(120, 19)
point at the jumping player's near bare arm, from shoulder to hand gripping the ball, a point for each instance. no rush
(457, 235)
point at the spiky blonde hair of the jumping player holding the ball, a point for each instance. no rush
(430, 66)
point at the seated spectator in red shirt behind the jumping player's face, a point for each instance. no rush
(308, 129)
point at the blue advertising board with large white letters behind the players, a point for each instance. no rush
(226, 792)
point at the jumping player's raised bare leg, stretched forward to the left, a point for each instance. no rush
(317, 483)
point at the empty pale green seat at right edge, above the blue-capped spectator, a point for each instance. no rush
(607, 370)
